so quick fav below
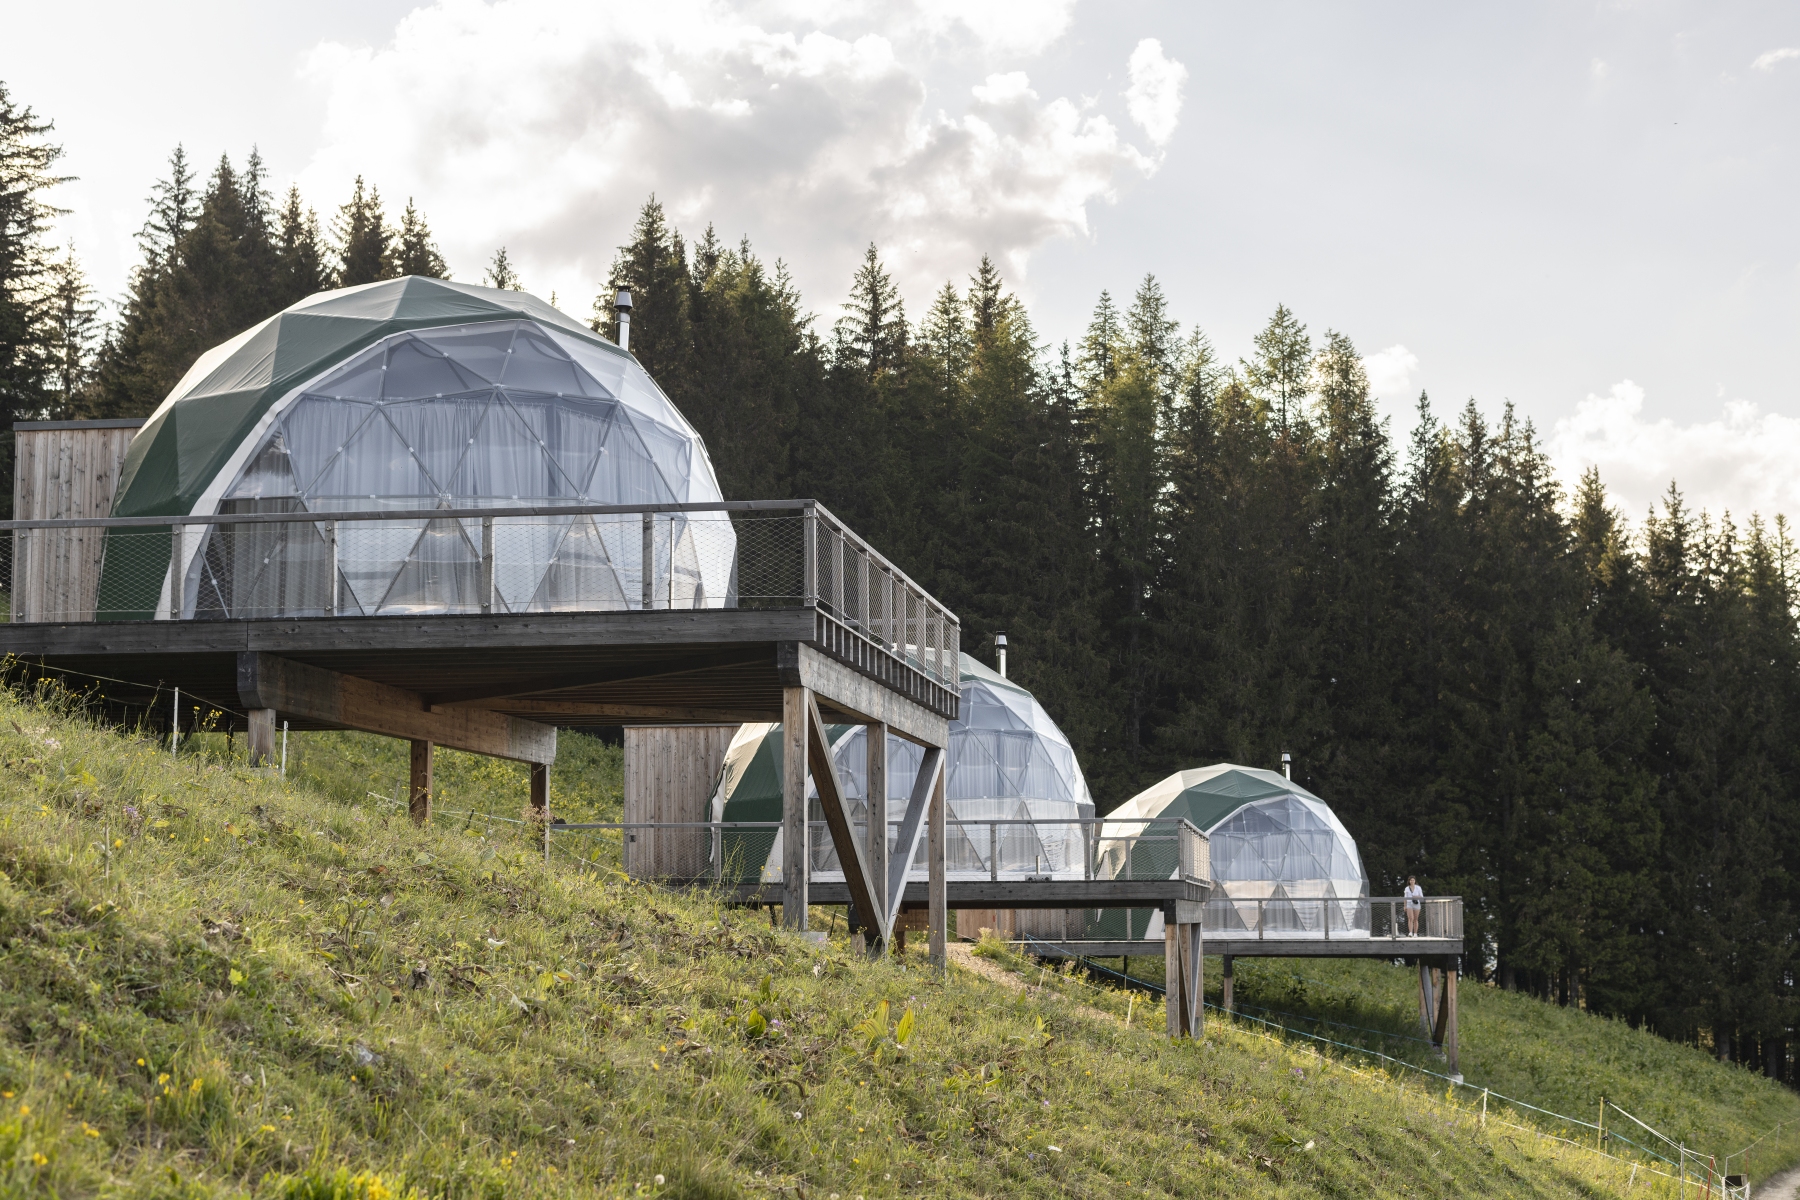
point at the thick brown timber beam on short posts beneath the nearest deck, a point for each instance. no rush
(316, 695)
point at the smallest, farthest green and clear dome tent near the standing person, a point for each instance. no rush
(1270, 839)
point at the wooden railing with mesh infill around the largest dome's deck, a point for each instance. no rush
(478, 560)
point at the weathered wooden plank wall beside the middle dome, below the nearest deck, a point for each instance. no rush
(670, 775)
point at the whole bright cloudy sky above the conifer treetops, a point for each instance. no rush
(1587, 210)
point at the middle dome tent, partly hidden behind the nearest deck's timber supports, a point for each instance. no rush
(1007, 762)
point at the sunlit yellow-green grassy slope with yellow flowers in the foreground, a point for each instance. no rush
(224, 983)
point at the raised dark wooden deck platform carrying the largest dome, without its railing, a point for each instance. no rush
(580, 668)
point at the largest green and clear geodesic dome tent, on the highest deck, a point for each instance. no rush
(415, 395)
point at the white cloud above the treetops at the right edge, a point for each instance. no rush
(1740, 463)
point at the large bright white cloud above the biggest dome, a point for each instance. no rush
(543, 125)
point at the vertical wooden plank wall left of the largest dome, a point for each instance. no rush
(64, 470)
